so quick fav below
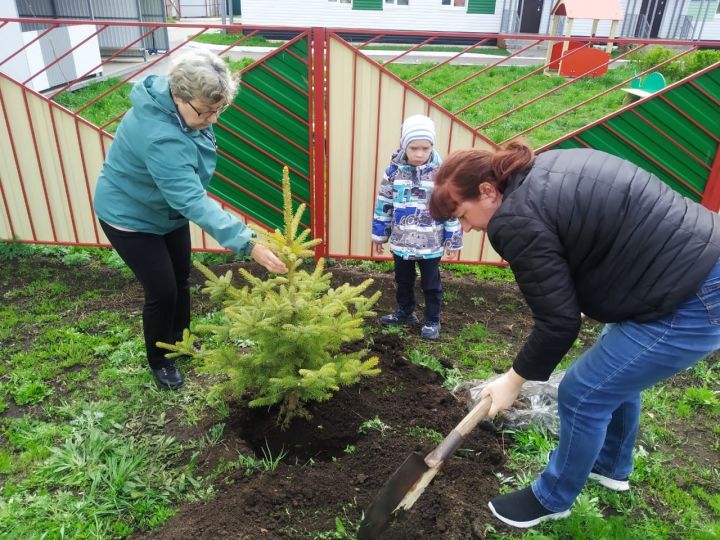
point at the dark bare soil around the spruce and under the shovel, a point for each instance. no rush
(336, 463)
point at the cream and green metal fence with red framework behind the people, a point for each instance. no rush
(329, 106)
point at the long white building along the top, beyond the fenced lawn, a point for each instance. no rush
(673, 19)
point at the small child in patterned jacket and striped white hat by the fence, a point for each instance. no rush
(402, 217)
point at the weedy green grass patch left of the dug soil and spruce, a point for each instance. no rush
(85, 453)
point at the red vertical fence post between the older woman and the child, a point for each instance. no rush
(318, 139)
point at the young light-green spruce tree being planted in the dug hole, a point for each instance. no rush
(296, 324)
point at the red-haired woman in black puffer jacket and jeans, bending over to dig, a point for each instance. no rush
(587, 232)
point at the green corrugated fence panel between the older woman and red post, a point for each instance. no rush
(267, 129)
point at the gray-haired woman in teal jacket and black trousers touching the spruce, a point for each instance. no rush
(153, 183)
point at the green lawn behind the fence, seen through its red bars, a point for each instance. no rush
(488, 97)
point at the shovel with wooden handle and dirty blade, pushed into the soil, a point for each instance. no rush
(414, 475)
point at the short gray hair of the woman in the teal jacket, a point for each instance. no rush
(200, 74)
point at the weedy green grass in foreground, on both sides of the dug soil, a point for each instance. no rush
(91, 449)
